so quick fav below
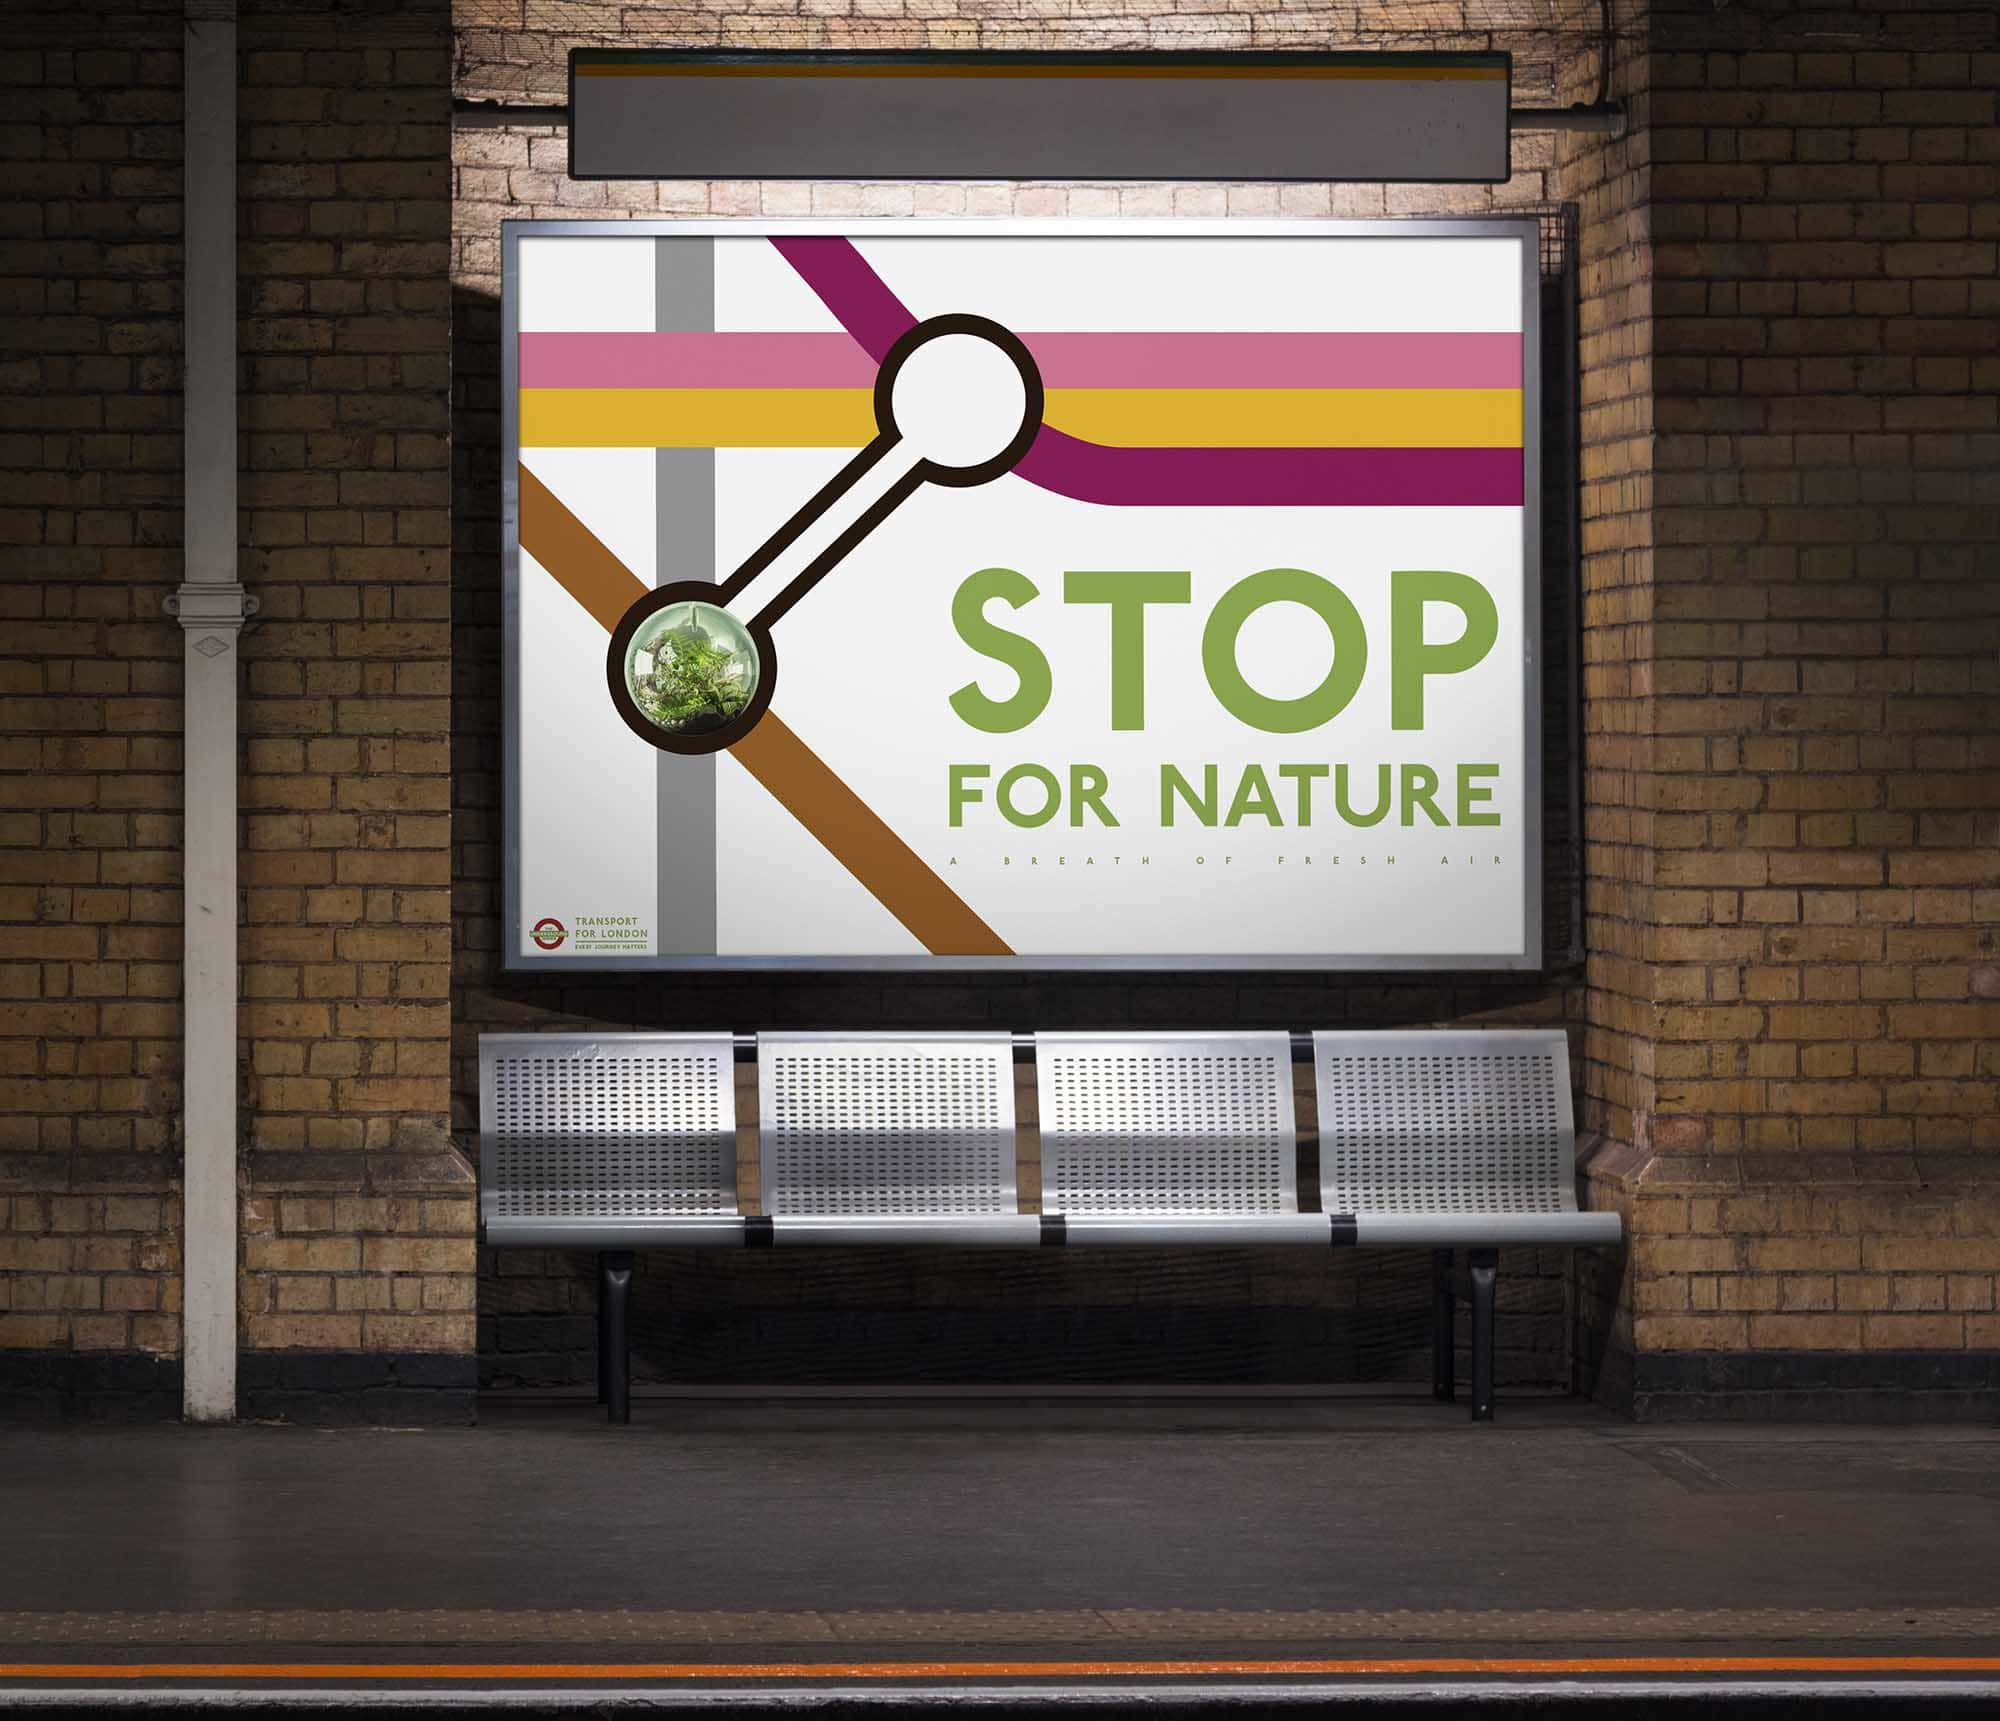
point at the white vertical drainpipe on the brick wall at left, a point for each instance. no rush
(211, 607)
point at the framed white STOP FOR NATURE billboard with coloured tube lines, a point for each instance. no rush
(1039, 595)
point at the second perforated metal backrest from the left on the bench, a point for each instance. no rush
(887, 1124)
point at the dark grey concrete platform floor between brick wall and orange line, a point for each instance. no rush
(711, 1526)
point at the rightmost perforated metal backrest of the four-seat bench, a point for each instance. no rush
(1445, 1122)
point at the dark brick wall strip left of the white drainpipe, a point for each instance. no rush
(89, 685)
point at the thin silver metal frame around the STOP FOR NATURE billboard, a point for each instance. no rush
(1525, 231)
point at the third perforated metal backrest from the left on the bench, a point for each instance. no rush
(1167, 1124)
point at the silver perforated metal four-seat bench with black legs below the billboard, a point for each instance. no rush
(1427, 1140)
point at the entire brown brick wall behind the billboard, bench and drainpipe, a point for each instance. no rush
(1791, 1020)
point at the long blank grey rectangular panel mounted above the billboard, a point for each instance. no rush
(781, 115)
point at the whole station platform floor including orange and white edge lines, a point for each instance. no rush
(1135, 1556)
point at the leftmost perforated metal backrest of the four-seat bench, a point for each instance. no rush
(607, 1126)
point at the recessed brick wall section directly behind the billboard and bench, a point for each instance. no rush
(935, 1316)
